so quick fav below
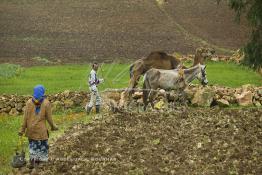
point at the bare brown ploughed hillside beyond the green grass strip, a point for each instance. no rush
(76, 31)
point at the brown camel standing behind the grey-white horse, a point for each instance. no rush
(161, 60)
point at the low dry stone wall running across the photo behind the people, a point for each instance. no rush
(195, 95)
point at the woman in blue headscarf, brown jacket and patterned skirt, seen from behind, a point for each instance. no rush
(37, 112)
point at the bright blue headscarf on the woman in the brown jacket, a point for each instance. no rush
(38, 97)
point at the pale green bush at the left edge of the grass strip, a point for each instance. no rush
(10, 70)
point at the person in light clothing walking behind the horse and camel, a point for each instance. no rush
(93, 82)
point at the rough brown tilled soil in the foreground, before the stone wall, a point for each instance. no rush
(187, 141)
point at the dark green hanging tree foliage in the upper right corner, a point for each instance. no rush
(253, 11)
